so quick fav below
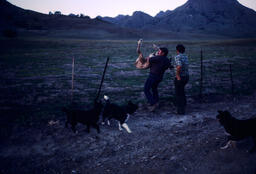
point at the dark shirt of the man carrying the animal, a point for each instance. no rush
(158, 65)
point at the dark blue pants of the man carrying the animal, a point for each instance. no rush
(150, 88)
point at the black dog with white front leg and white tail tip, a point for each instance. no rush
(119, 113)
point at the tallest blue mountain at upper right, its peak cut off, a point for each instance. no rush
(212, 16)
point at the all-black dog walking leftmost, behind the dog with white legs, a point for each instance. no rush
(86, 117)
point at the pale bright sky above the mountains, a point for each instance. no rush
(109, 8)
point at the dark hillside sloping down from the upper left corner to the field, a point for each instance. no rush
(28, 21)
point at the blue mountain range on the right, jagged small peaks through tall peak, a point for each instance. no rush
(221, 17)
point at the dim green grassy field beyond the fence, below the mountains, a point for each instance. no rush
(36, 72)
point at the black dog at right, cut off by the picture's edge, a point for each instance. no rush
(238, 129)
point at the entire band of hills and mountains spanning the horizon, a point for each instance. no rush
(195, 19)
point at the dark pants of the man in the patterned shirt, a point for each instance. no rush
(180, 96)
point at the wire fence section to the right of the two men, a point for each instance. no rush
(226, 76)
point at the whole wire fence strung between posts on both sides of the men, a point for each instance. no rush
(208, 76)
